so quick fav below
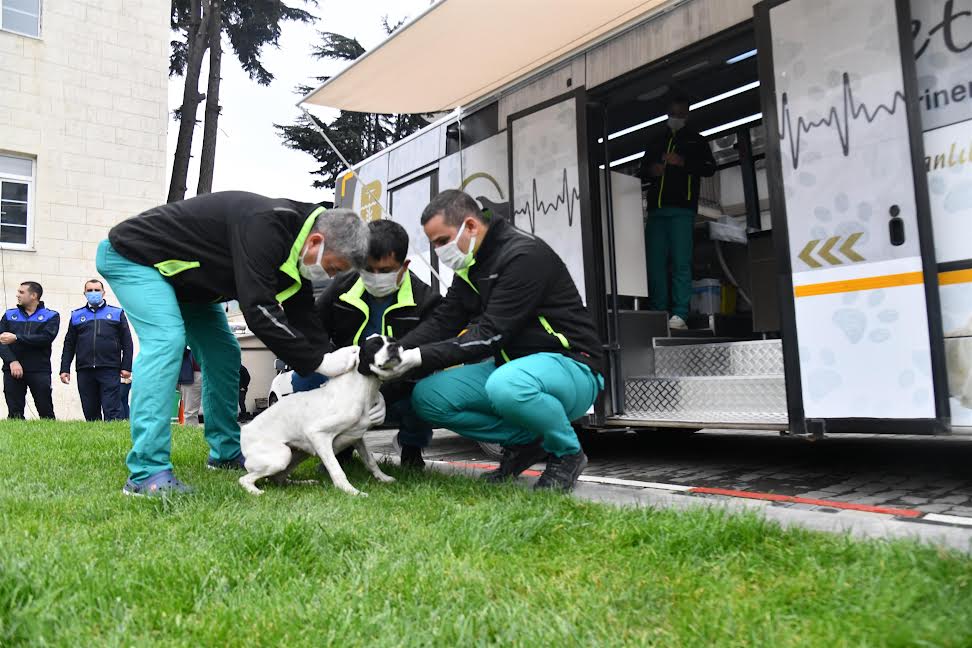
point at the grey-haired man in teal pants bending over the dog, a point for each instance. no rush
(172, 265)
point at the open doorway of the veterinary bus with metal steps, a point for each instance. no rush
(725, 367)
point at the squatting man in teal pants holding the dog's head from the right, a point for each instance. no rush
(514, 319)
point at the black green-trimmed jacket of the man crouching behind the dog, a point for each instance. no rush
(344, 313)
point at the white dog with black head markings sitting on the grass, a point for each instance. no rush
(320, 422)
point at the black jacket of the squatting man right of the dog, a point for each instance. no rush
(503, 306)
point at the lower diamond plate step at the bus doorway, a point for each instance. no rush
(707, 399)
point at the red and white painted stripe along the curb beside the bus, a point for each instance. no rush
(907, 513)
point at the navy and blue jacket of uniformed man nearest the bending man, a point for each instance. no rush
(97, 337)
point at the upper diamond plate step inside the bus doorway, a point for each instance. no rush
(757, 358)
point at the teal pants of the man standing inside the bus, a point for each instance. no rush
(668, 233)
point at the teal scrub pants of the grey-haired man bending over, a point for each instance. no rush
(164, 326)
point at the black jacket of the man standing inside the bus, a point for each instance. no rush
(678, 186)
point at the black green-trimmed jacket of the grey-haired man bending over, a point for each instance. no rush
(235, 245)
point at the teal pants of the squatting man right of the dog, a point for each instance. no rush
(529, 398)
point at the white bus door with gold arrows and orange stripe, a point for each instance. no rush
(862, 330)
